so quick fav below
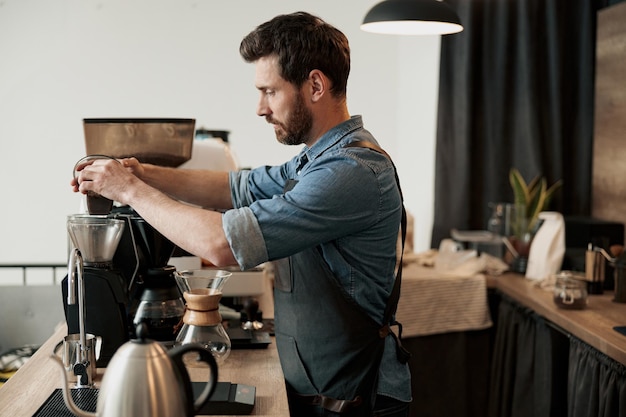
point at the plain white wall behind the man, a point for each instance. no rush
(65, 60)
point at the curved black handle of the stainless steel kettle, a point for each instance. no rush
(204, 355)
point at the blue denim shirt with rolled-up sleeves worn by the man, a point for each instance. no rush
(342, 200)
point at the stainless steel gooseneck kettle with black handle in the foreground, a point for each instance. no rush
(143, 379)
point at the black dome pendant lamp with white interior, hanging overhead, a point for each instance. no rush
(412, 17)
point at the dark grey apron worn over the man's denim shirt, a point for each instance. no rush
(329, 348)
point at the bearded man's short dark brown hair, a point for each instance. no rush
(302, 42)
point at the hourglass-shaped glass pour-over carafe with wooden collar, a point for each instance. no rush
(202, 290)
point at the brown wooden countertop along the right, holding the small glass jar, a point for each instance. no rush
(593, 325)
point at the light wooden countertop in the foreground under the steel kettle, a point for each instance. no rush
(29, 388)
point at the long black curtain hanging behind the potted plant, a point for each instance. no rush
(516, 90)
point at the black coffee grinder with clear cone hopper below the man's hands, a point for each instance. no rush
(101, 289)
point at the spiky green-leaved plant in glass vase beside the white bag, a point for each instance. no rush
(530, 199)
